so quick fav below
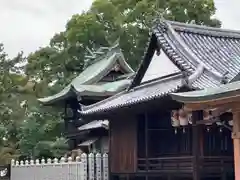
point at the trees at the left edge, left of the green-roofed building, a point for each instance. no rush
(26, 129)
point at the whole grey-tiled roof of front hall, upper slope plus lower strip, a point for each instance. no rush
(188, 47)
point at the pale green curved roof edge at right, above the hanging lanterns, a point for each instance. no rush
(222, 92)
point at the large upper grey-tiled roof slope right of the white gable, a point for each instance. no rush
(189, 45)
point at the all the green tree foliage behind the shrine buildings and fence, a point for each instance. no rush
(26, 128)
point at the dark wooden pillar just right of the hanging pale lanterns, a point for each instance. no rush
(196, 115)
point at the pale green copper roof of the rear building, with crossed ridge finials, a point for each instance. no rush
(87, 81)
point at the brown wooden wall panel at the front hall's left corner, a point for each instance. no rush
(123, 145)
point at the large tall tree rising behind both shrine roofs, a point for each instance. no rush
(106, 21)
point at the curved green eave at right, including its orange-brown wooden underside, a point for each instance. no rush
(223, 94)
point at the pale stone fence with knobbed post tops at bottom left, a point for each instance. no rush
(85, 167)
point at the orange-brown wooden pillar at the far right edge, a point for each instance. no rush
(236, 141)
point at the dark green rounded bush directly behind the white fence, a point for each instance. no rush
(40, 134)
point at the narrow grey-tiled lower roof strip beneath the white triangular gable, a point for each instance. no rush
(137, 95)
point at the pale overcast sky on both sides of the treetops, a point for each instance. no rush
(27, 25)
